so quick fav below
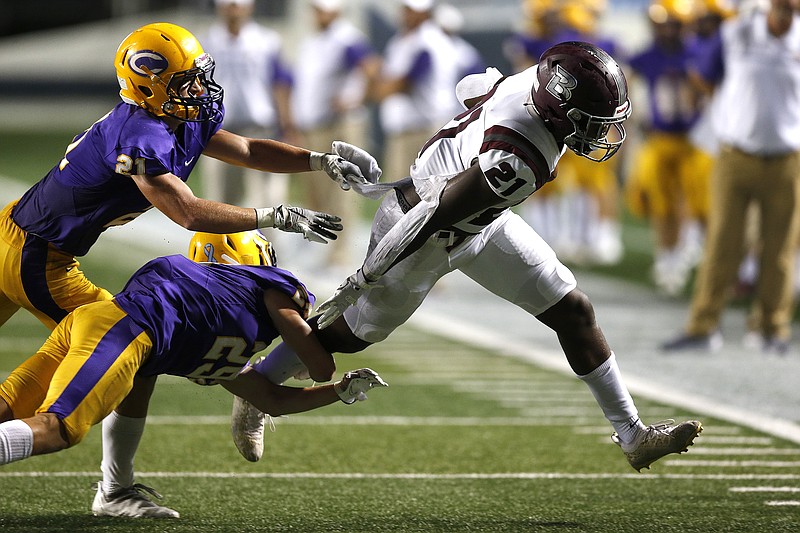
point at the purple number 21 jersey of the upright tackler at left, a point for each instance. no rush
(91, 188)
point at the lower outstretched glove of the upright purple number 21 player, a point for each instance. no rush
(315, 226)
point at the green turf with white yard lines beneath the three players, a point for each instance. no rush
(463, 440)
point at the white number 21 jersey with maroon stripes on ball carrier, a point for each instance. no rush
(514, 149)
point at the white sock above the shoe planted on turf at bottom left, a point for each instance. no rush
(121, 436)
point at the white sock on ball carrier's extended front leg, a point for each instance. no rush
(606, 385)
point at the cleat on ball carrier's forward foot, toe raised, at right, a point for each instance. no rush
(658, 440)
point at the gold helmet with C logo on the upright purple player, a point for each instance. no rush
(162, 68)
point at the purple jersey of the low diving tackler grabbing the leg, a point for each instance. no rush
(205, 319)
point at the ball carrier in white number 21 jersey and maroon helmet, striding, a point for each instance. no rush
(453, 213)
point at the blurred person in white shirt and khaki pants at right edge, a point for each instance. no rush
(758, 127)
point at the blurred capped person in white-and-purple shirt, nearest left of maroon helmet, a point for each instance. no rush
(416, 89)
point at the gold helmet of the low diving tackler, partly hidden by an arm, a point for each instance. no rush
(243, 248)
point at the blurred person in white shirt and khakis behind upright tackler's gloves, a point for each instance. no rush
(334, 71)
